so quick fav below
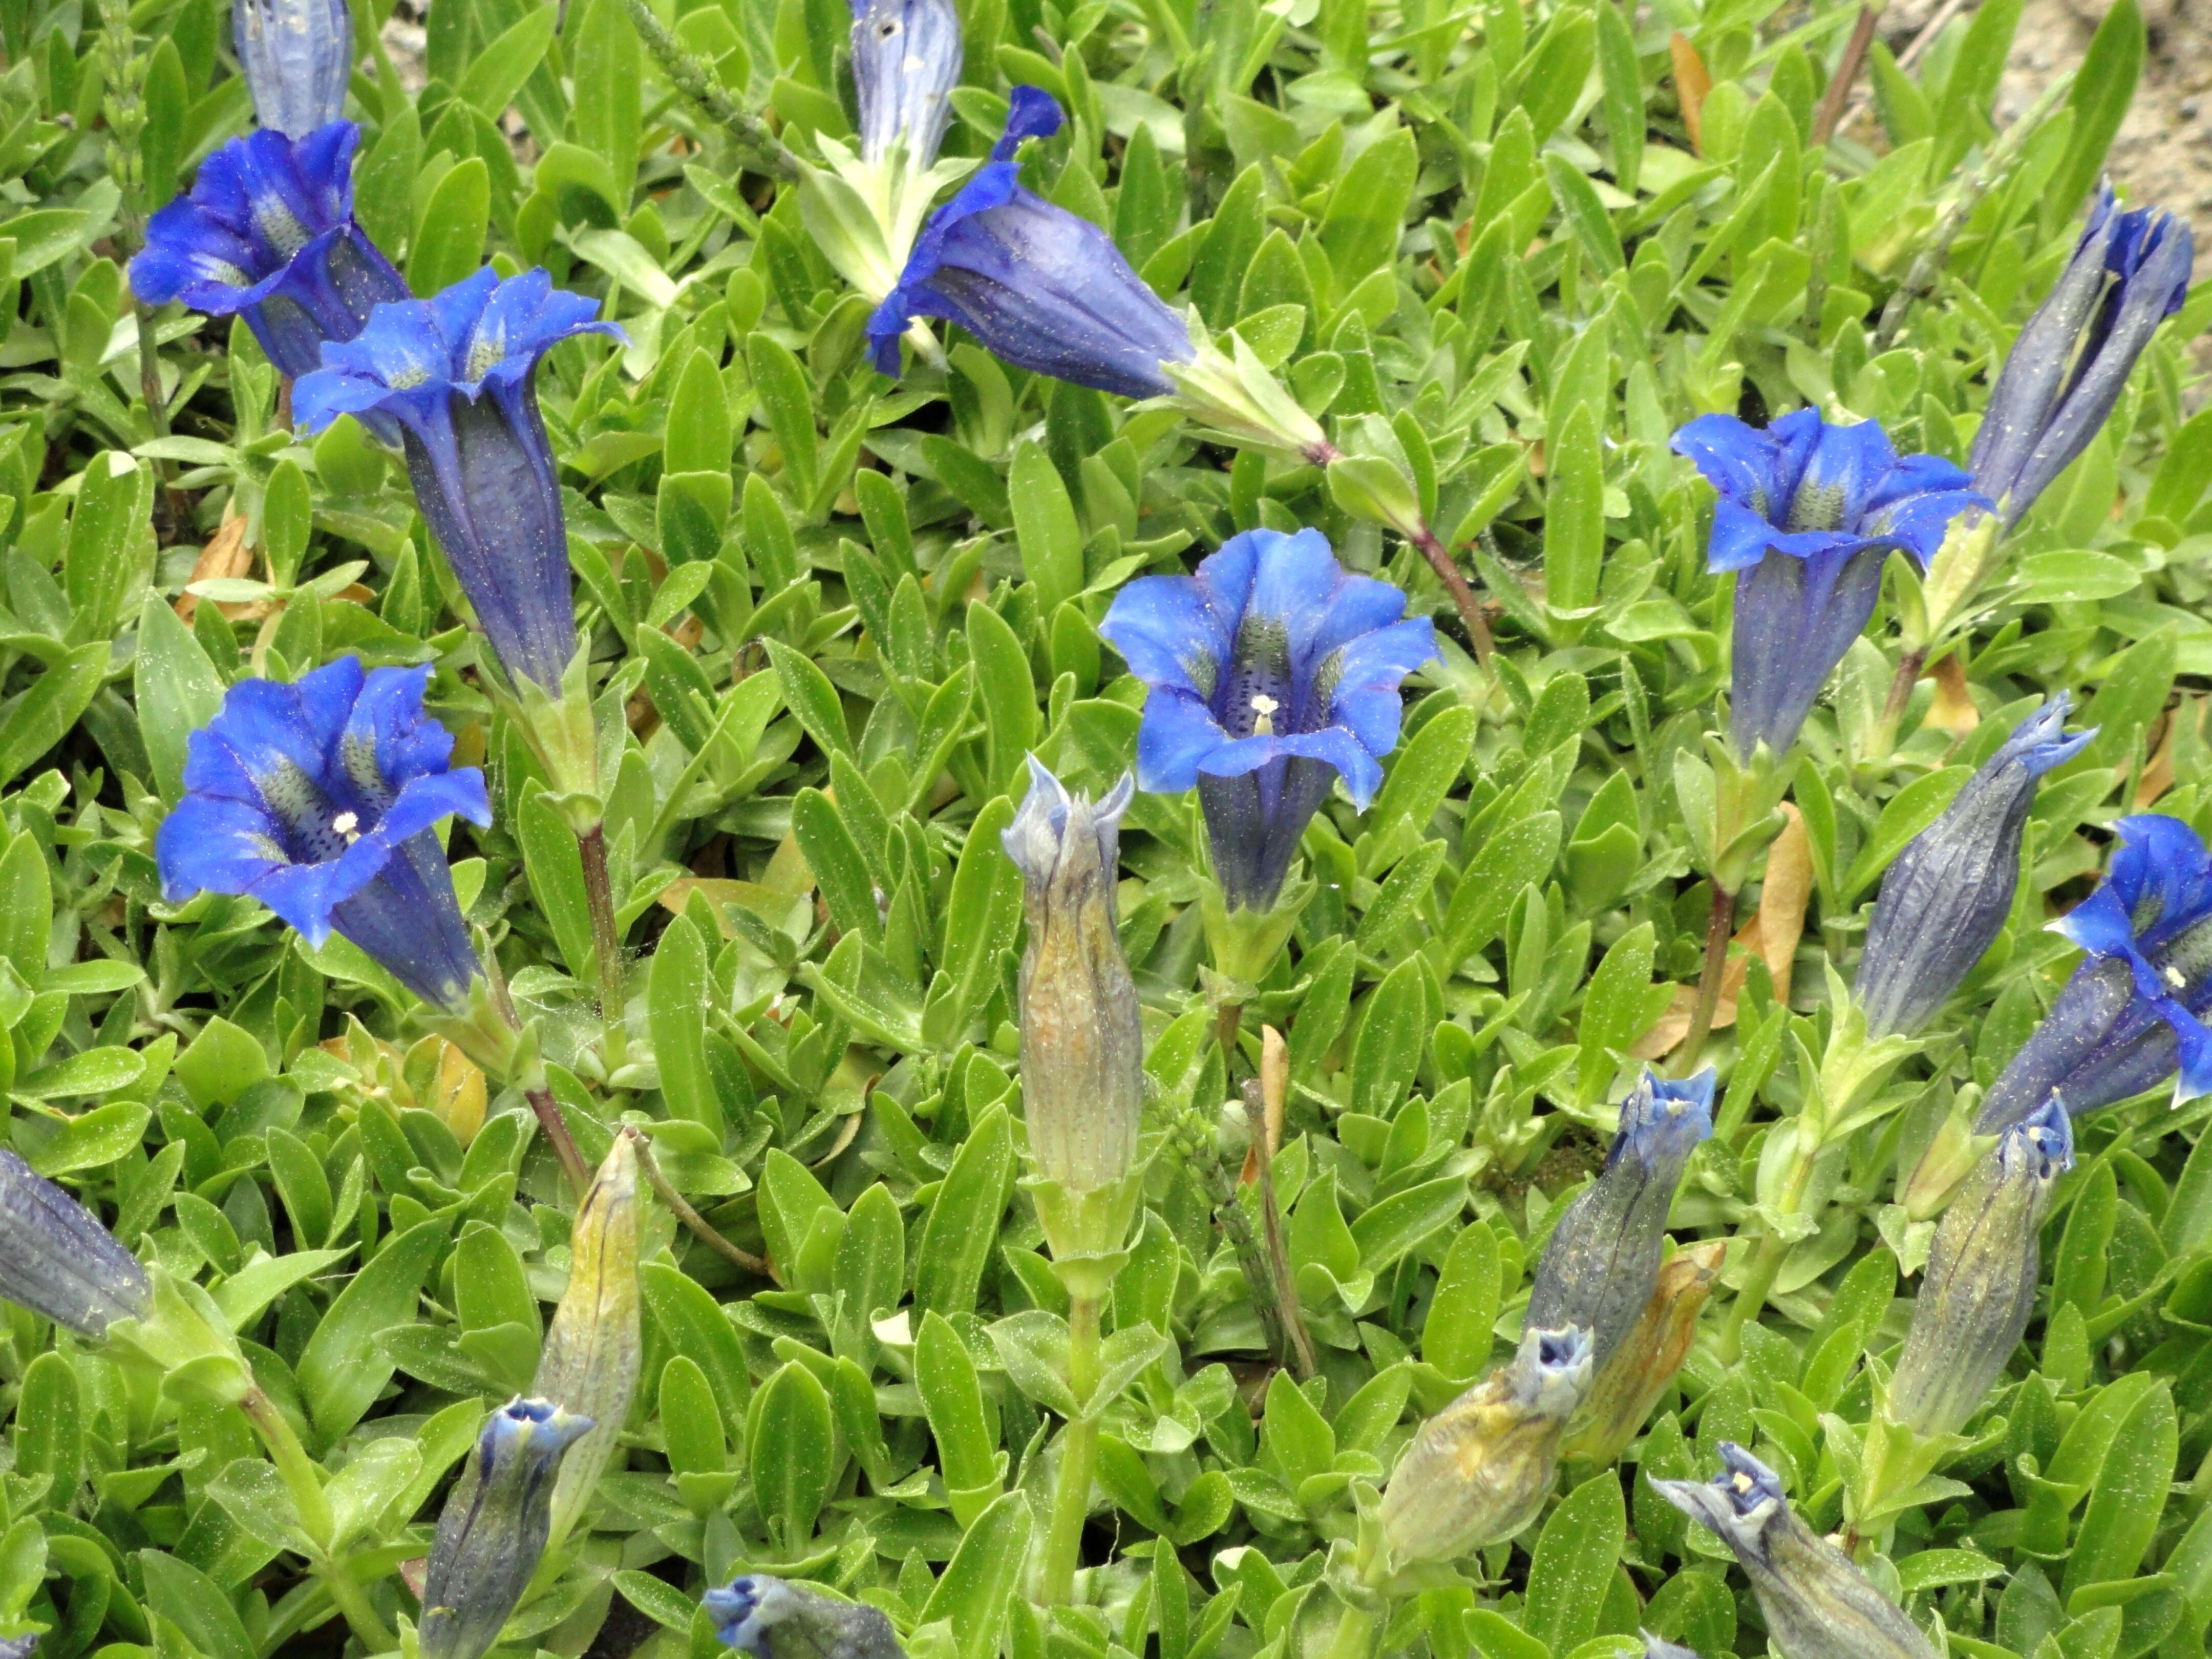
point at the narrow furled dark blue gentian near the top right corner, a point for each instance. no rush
(2129, 273)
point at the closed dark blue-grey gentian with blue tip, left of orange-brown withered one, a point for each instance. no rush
(1603, 1260)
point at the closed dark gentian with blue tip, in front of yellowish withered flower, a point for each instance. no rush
(494, 1527)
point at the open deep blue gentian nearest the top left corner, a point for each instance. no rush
(271, 233)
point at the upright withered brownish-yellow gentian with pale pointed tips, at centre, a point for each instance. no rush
(1083, 1041)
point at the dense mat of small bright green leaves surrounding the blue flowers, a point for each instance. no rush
(1507, 249)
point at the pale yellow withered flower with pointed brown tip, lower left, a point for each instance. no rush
(594, 1348)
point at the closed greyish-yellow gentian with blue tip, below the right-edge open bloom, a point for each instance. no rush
(1981, 1277)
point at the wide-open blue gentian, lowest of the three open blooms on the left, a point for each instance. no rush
(320, 800)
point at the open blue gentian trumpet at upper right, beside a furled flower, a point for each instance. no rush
(1808, 514)
